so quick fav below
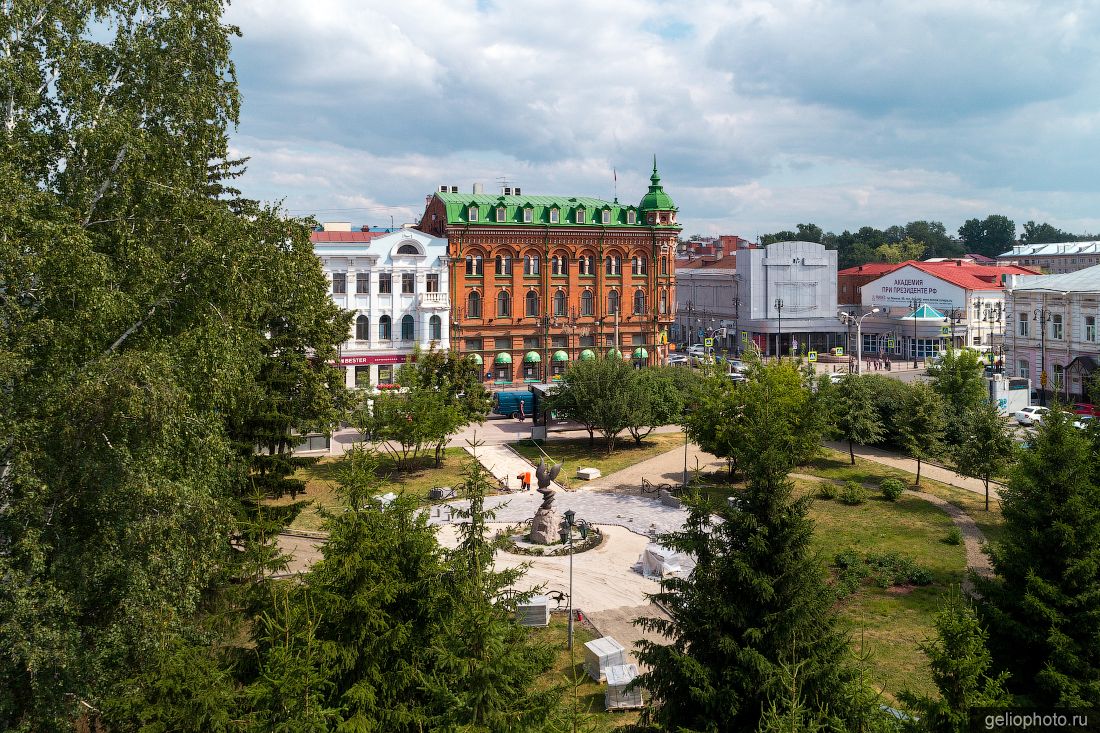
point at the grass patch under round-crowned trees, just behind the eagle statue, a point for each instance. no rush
(577, 453)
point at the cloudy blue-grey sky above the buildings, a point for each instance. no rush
(762, 114)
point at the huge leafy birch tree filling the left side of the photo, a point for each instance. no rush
(157, 327)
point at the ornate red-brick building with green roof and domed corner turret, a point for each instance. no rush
(538, 282)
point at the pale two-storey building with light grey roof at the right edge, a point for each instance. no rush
(1053, 337)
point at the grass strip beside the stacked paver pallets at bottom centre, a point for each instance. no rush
(589, 694)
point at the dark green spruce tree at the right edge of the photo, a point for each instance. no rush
(1044, 603)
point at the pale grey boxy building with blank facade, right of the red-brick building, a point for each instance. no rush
(787, 299)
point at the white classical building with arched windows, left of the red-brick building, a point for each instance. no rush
(395, 285)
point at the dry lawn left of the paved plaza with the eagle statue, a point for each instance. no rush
(322, 486)
